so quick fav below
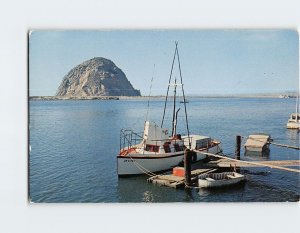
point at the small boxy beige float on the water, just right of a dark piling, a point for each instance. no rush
(257, 142)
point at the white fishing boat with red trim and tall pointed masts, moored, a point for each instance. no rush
(157, 150)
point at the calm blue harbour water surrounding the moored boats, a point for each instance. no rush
(74, 146)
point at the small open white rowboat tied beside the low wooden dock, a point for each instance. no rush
(214, 180)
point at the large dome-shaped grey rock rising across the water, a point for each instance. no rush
(96, 77)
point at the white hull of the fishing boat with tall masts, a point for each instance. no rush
(137, 164)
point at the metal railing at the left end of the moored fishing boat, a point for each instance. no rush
(129, 138)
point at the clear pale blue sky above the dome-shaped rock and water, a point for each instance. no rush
(213, 62)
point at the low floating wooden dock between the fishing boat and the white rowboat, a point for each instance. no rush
(177, 181)
